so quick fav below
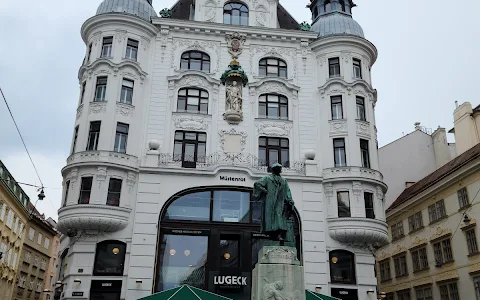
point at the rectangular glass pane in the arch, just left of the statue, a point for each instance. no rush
(230, 206)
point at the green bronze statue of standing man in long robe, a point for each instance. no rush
(277, 203)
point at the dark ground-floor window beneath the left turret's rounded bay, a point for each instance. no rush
(109, 258)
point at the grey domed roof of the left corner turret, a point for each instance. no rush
(139, 8)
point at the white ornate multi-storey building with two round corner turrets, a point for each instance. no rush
(179, 115)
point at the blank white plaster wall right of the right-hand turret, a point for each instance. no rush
(401, 163)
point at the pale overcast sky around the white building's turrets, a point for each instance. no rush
(428, 58)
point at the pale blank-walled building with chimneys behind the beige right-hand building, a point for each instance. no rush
(416, 154)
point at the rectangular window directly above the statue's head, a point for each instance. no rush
(273, 150)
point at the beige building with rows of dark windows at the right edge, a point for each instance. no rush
(434, 251)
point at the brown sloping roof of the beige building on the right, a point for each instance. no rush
(454, 165)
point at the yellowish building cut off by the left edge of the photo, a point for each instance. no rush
(13, 217)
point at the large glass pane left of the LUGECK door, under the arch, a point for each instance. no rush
(179, 269)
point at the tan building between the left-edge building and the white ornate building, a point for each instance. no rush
(34, 271)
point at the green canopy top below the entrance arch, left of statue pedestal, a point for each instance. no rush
(185, 292)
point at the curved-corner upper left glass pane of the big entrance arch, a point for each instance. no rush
(194, 206)
